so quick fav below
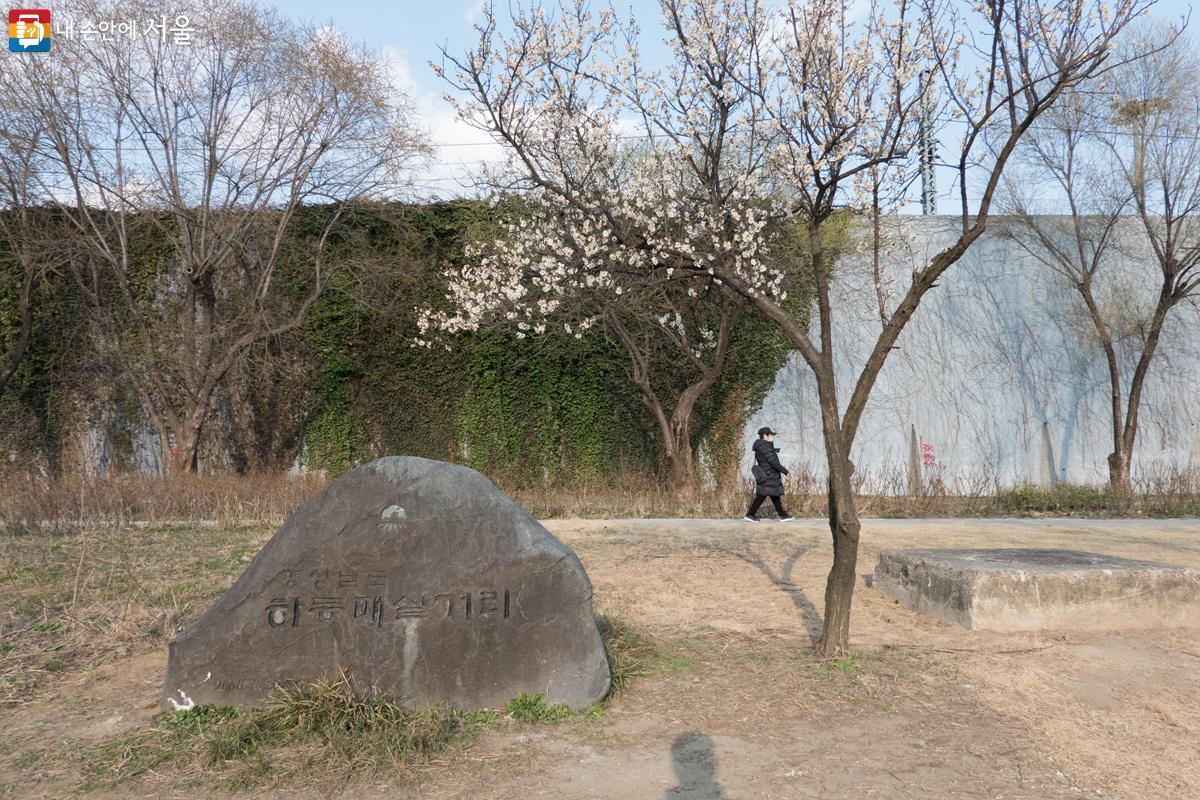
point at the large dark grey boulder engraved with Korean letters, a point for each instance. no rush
(417, 578)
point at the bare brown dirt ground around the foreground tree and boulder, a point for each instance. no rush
(739, 711)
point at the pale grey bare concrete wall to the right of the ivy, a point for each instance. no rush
(999, 377)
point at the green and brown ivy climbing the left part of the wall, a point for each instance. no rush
(533, 412)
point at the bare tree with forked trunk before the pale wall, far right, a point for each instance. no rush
(1147, 122)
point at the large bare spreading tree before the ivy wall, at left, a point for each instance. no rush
(187, 170)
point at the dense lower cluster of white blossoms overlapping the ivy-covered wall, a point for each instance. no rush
(561, 266)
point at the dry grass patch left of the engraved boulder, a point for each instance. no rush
(74, 601)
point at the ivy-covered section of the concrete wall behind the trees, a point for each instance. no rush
(351, 387)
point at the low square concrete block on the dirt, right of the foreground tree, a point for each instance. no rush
(1039, 590)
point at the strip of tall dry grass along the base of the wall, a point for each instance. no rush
(35, 503)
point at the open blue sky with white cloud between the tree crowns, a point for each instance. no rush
(410, 34)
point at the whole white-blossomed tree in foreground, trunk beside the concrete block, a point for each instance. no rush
(761, 117)
